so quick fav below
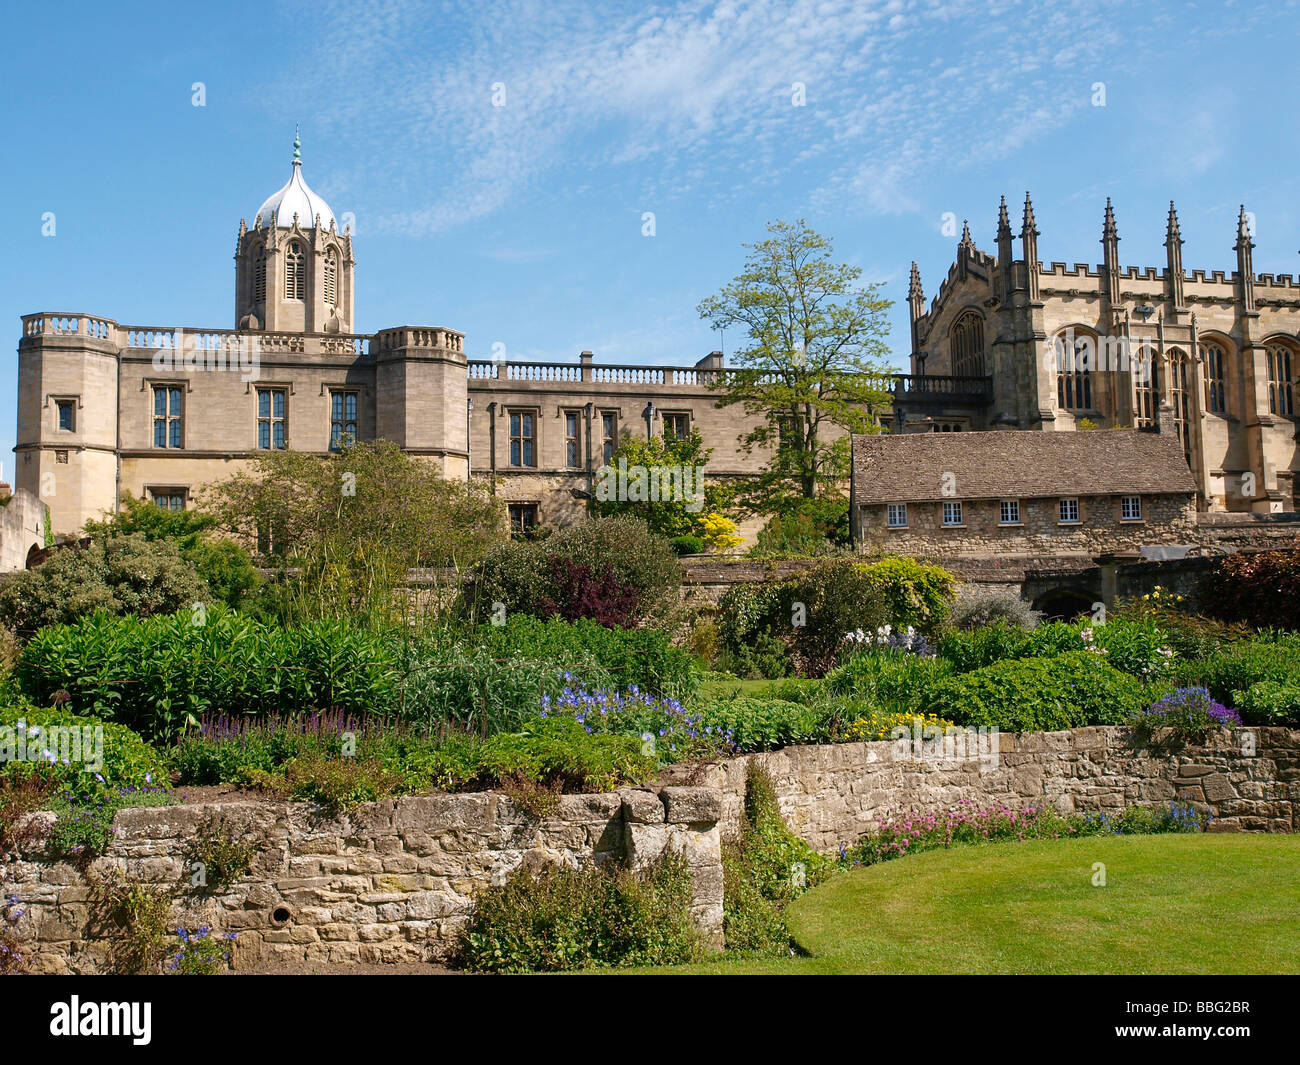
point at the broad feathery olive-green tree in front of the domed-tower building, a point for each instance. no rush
(353, 525)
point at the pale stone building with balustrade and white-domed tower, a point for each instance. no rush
(109, 410)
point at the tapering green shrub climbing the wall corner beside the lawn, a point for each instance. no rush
(765, 868)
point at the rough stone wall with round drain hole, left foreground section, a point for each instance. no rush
(389, 882)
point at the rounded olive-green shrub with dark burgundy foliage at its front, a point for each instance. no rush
(617, 561)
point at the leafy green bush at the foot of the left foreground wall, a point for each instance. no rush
(565, 919)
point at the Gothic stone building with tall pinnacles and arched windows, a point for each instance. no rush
(1015, 343)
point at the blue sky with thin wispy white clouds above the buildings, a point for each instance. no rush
(523, 224)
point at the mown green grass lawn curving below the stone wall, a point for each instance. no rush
(1172, 904)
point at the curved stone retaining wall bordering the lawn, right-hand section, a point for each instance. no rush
(831, 795)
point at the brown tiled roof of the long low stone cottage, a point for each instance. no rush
(1017, 465)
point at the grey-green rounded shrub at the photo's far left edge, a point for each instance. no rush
(123, 575)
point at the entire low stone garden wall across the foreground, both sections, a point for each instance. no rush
(396, 881)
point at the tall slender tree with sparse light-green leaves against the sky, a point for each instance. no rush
(812, 361)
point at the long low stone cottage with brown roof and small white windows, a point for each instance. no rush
(996, 493)
